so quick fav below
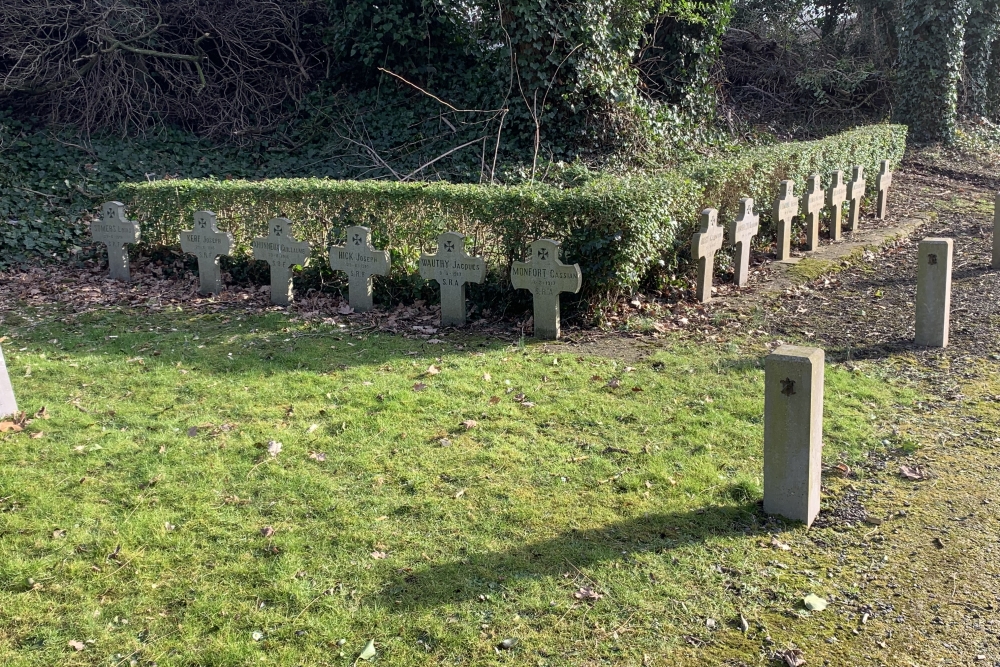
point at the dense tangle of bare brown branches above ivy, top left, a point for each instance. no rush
(221, 67)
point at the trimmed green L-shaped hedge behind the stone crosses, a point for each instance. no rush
(617, 227)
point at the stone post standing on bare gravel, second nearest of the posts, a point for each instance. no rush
(934, 260)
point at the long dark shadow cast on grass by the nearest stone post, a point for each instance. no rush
(482, 573)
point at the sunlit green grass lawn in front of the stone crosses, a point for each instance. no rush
(435, 498)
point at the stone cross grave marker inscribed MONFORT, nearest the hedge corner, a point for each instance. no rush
(546, 277)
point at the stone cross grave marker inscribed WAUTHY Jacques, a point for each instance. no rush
(452, 268)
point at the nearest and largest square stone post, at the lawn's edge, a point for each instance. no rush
(793, 432)
